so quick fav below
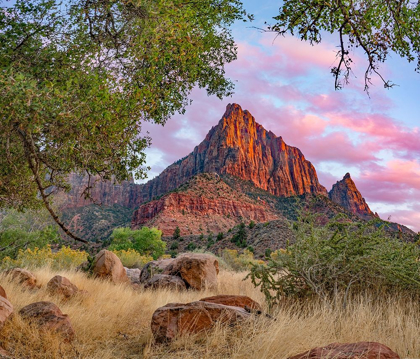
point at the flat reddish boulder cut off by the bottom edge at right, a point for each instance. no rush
(361, 350)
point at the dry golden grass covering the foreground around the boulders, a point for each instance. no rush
(114, 322)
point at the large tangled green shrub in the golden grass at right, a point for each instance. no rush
(339, 257)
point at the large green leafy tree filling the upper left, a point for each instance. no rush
(78, 79)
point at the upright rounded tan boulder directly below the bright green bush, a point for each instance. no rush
(108, 266)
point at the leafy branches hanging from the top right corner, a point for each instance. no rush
(378, 27)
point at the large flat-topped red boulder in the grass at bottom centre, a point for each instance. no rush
(176, 319)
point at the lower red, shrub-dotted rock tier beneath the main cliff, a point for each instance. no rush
(205, 203)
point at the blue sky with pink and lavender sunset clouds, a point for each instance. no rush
(287, 86)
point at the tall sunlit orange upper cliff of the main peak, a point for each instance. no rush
(241, 147)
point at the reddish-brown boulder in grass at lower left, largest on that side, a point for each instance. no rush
(48, 317)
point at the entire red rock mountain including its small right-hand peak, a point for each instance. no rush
(240, 172)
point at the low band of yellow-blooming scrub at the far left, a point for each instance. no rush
(65, 258)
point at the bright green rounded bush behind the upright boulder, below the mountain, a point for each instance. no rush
(146, 241)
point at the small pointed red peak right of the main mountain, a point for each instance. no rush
(346, 194)
